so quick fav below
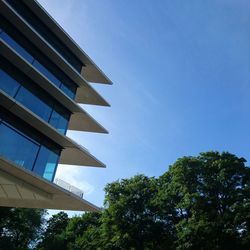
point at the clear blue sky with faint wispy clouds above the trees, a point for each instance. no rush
(181, 73)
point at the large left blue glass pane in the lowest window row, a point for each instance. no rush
(16, 147)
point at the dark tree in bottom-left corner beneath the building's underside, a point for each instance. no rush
(20, 228)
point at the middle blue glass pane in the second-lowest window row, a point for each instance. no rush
(34, 103)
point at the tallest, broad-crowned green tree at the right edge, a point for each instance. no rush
(211, 195)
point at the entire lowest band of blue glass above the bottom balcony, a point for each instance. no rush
(26, 147)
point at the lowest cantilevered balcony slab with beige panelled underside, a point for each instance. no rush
(20, 187)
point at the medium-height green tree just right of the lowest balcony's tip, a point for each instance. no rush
(131, 219)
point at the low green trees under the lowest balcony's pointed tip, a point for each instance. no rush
(79, 232)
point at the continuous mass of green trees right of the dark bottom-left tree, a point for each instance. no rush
(200, 203)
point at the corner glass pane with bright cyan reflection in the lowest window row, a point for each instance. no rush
(46, 163)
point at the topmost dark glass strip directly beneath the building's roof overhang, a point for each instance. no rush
(46, 33)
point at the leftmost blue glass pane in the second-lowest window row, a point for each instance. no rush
(8, 84)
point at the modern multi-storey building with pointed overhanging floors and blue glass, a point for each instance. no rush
(44, 75)
